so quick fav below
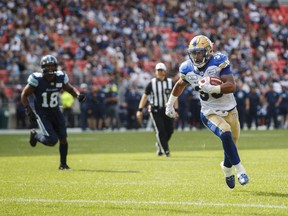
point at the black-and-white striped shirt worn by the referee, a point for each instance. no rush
(159, 91)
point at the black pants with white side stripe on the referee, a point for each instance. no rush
(164, 127)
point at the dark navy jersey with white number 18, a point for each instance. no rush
(47, 93)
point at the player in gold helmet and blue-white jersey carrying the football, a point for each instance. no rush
(218, 105)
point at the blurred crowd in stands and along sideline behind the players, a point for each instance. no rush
(111, 48)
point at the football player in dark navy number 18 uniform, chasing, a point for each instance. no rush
(46, 86)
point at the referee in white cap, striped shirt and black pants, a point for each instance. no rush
(158, 91)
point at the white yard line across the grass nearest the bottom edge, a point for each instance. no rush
(131, 202)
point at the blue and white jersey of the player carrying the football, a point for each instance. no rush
(217, 66)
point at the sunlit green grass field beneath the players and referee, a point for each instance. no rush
(119, 174)
